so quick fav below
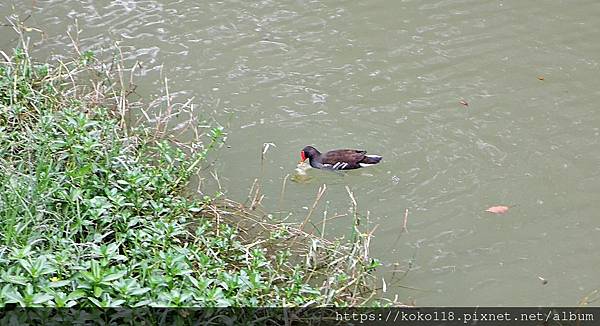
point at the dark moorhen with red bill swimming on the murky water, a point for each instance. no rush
(339, 159)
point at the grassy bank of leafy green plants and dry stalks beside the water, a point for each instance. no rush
(95, 208)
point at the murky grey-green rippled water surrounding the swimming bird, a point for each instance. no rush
(388, 76)
